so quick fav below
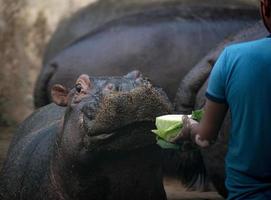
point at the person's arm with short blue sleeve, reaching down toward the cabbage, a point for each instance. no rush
(216, 105)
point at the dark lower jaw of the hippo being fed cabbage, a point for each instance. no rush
(134, 135)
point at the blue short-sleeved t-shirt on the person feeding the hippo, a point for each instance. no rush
(241, 78)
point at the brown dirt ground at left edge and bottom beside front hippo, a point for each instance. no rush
(174, 189)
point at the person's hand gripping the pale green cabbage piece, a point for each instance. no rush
(188, 131)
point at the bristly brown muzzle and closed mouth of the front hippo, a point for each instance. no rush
(124, 119)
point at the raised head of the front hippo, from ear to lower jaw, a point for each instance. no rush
(113, 113)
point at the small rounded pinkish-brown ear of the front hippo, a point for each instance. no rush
(59, 95)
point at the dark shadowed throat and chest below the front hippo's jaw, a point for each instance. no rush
(125, 175)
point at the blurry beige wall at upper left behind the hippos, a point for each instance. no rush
(25, 27)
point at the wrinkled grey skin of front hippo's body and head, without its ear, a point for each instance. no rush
(98, 147)
